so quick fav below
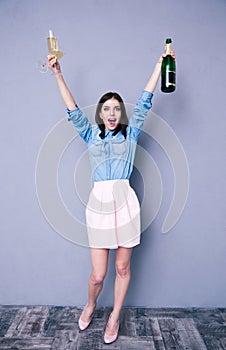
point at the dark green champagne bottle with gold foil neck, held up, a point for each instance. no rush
(168, 69)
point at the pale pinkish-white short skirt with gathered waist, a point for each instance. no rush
(113, 215)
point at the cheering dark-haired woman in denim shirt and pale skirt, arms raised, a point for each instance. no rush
(113, 212)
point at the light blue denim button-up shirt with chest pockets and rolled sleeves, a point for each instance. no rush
(112, 157)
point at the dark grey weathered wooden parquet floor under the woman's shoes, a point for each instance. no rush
(42, 327)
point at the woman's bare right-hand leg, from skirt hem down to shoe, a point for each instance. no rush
(122, 281)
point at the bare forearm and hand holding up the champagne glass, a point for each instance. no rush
(67, 97)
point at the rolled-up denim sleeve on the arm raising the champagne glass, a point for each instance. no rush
(81, 123)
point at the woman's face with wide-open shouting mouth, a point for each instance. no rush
(110, 113)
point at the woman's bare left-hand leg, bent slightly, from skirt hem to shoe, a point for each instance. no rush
(99, 260)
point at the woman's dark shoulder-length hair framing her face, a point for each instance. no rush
(123, 121)
